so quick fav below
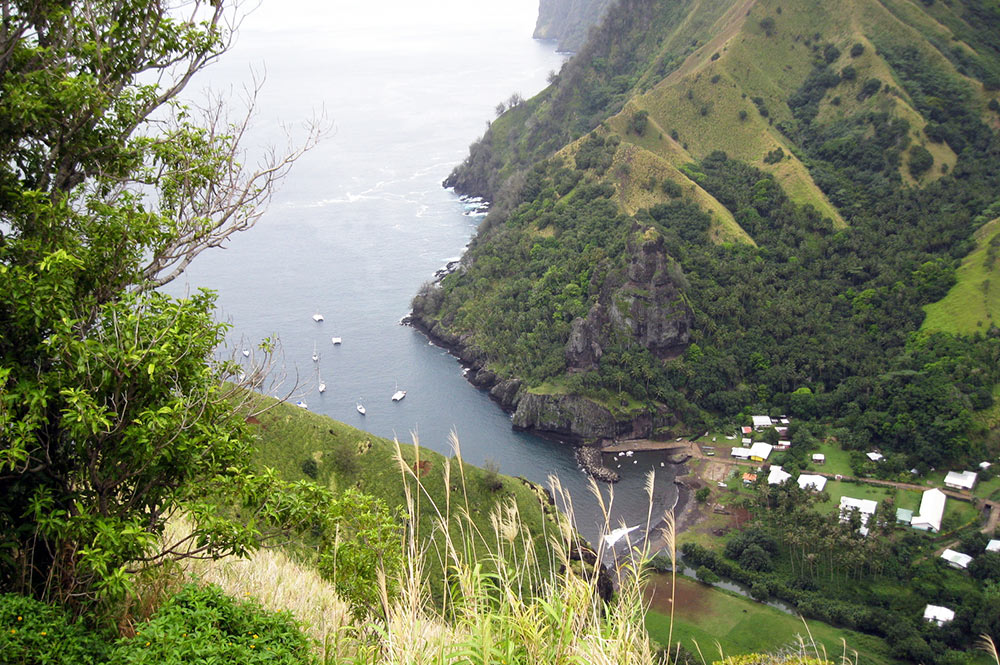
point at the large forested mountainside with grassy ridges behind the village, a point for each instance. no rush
(719, 206)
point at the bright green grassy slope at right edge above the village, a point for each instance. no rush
(973, 304)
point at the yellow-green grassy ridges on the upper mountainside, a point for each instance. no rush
(706, 114)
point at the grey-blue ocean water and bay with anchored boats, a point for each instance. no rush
(362, 220)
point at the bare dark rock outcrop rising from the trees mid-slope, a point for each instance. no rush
(646, 309)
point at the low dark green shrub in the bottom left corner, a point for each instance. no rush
(33, 632)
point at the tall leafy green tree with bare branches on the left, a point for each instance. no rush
(114, 414)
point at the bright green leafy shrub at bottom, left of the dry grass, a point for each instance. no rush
(204, 625)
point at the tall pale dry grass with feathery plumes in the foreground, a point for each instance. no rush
(528, 599)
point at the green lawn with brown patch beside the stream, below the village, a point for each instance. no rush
(716, 620)
